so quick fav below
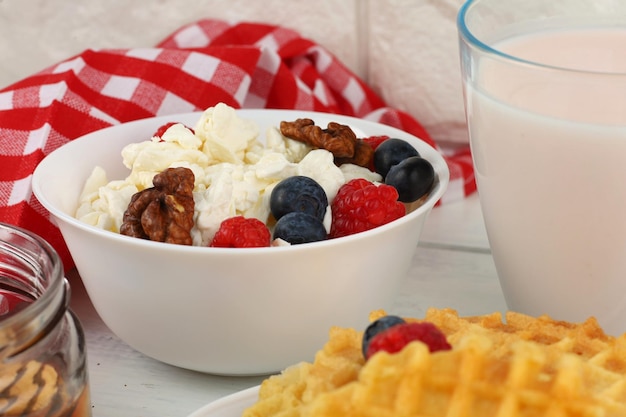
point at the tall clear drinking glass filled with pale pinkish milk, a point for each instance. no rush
(544, 84)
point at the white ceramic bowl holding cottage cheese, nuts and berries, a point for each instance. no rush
(227, 311)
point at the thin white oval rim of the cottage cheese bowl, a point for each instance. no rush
(428, 152)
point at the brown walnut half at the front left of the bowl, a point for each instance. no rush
(163, 213)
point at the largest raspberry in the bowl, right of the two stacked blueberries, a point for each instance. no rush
(361, 205)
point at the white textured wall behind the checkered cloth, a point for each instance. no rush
(405, 49)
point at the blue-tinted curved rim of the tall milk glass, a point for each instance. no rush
(471, 40)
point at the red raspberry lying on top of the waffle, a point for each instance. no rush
(395, 338)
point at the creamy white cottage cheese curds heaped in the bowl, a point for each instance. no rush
(234, 171)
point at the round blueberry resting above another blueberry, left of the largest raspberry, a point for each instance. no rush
(298, 193)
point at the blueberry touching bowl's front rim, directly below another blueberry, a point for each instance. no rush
(298, 227)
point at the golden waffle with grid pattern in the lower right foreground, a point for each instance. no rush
(516, 366)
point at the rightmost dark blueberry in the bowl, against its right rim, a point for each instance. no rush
(412, 178)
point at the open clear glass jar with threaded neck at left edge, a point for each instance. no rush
(43, 367)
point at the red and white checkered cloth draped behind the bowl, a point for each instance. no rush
(245, 65)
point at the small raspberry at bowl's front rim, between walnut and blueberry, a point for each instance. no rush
(241, 232)
